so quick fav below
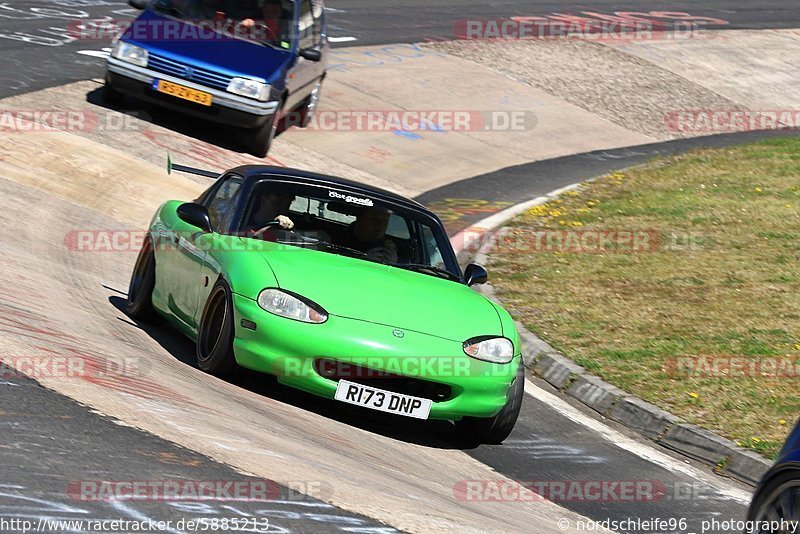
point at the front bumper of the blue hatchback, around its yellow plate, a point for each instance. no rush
(226, 108)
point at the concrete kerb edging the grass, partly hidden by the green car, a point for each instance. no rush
(723, 455)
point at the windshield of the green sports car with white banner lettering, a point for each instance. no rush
(349, 224)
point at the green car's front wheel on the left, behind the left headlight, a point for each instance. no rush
(215, 333)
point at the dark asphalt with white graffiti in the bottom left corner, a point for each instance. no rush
(61, 461)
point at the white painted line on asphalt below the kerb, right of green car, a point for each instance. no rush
(646, 452)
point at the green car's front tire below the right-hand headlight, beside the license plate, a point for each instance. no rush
(494, 430)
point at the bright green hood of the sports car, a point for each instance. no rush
(368, 291)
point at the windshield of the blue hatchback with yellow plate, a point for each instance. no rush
(265, 21)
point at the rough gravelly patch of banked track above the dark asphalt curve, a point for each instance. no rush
(621, 88)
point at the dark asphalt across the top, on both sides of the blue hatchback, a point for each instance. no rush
(39, 47)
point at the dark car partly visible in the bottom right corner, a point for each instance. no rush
(778, 494)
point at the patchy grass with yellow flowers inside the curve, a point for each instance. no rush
(721, 279)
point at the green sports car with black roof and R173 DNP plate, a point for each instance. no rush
(339, 289)
